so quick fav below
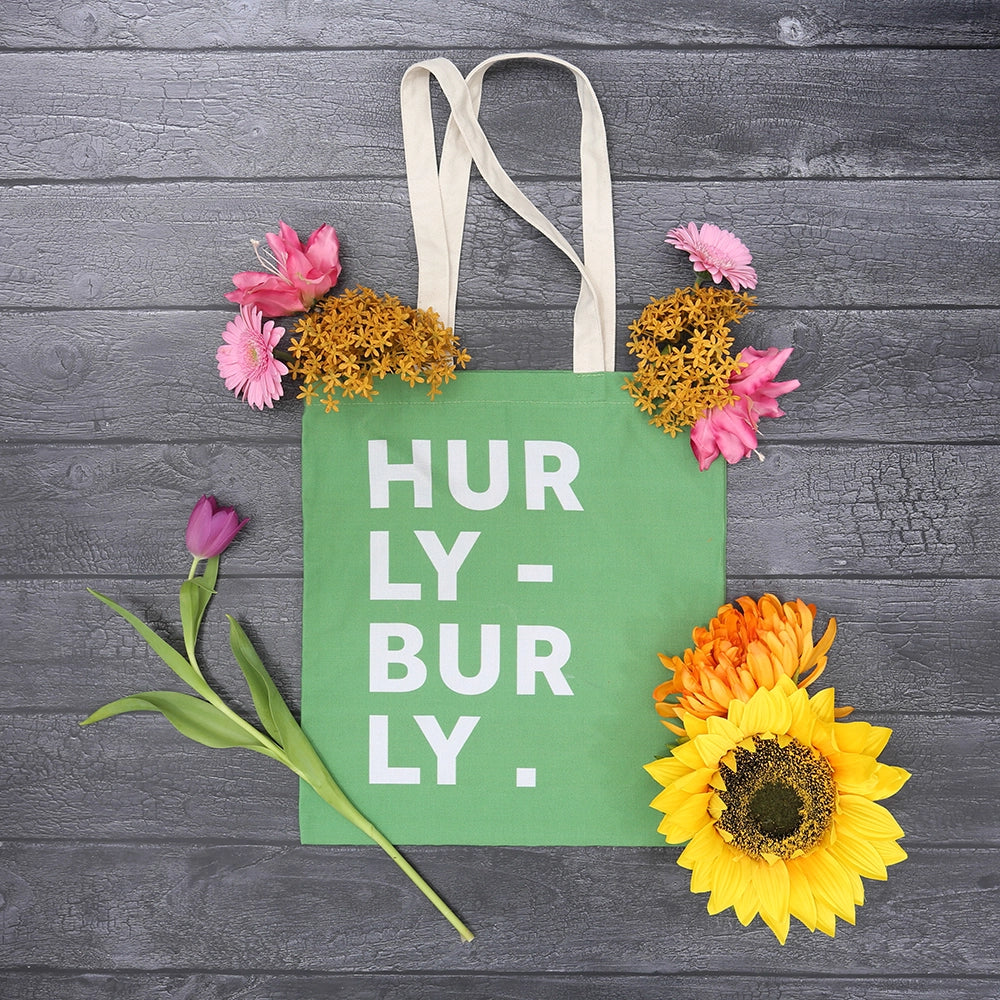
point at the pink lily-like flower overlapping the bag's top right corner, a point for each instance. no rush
(731, 430)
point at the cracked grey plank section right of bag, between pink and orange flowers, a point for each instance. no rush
(867, 510)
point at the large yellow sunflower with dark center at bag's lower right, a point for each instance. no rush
(777, 805)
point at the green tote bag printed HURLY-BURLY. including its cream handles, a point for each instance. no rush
(489, 575)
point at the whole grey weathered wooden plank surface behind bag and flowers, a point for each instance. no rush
(853, 145)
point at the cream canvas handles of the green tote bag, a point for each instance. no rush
(439, 192)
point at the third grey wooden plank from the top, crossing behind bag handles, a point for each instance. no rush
(815, 243)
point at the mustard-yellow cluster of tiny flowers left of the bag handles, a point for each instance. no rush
(346, 342)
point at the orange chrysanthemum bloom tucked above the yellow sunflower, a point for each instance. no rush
(743, 649)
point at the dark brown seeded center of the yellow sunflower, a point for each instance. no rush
(779, 799)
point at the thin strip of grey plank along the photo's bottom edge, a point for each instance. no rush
(482, 986)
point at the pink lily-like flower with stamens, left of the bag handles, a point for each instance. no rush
(296, 274)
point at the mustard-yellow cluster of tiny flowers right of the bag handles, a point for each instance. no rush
(683, 345)
